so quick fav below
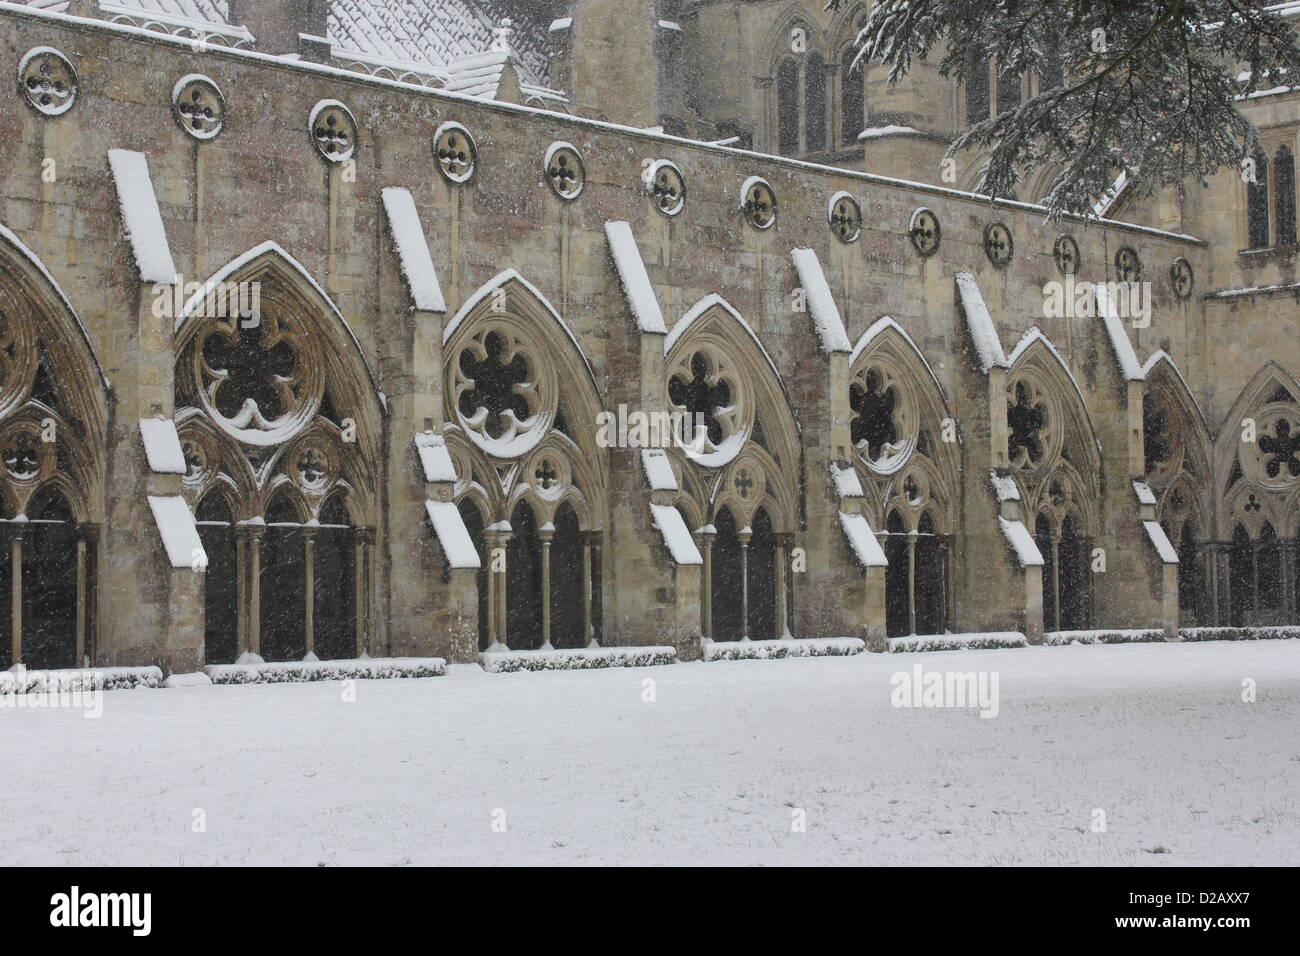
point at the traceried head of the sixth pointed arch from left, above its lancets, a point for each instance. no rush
(1051, 443)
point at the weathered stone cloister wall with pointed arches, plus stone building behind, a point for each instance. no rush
(817, 408)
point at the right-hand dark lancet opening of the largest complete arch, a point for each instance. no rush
(335, 583)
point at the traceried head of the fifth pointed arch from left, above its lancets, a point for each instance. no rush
(898, 427)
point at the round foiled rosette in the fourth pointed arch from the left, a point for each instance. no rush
(704, 380)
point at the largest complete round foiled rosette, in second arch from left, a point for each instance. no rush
(262, 386)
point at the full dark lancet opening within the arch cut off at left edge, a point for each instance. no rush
(50, 583)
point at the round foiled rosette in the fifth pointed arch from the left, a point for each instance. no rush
(877, 390)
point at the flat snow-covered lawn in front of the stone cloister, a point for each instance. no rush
(583, 771)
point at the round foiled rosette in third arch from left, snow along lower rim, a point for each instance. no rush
(504, 399)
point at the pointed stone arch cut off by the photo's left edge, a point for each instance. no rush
(54, 414)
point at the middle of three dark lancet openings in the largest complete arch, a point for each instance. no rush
(284, 583)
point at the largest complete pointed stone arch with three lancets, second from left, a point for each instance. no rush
(279, 412)
